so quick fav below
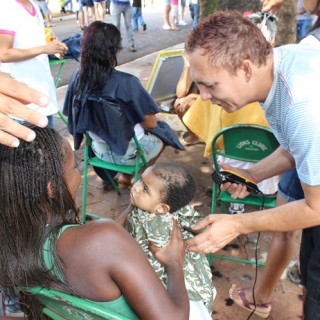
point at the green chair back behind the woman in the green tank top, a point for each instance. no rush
(62, 306)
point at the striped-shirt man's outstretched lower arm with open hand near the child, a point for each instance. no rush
(224, 228)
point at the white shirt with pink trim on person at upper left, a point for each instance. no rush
(27, 28)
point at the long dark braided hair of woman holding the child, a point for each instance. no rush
(29, 212)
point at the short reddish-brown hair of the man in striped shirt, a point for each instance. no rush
(229, 38)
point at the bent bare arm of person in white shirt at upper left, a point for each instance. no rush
(10, 54)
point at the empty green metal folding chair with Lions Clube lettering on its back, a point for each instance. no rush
(244, 142)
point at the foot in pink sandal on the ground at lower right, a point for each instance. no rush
(240, 297)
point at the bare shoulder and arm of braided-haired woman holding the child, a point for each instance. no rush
(103, 261)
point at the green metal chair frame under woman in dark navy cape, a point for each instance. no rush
(140, 163)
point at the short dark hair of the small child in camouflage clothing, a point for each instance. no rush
(179, 185)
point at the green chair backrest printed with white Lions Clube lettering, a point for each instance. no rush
(244, 142)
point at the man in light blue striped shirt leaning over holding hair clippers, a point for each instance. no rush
(233, 65)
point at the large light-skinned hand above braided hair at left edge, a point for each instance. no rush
(13, 97)
